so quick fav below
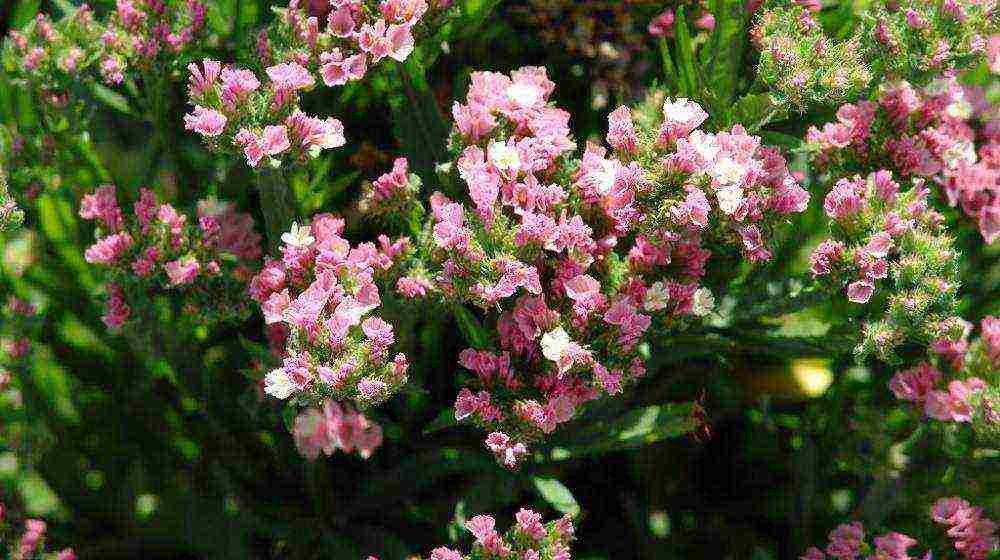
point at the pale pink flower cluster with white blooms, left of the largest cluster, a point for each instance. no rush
(322, 293)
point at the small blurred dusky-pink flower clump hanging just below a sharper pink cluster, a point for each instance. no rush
(332, 427)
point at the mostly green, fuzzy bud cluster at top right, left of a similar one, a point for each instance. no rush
(799, 63)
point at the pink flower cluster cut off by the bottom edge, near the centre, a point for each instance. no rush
(527, 539)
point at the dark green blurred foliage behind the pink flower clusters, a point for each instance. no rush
(749, 438)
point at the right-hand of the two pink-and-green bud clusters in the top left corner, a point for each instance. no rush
(151, 35)
